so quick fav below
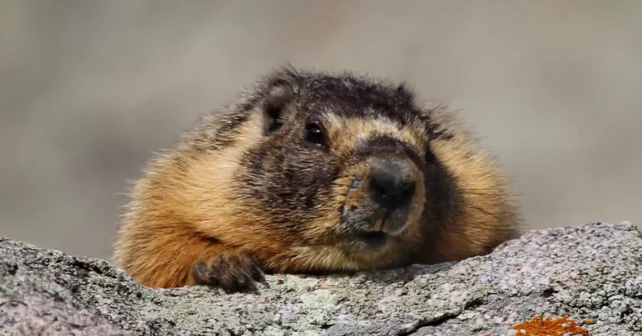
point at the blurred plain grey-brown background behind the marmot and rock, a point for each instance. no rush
(88, 89)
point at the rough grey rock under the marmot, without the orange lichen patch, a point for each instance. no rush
(589, 272)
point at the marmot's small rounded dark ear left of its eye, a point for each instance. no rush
(276, 104)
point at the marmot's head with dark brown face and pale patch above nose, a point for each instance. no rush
(328, 160)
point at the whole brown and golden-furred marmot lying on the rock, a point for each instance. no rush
(313, 172)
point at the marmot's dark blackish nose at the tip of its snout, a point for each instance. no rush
(392, 184)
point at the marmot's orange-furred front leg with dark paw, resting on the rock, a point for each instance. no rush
(185, 259)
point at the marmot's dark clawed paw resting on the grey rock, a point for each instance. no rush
(231, 271)
